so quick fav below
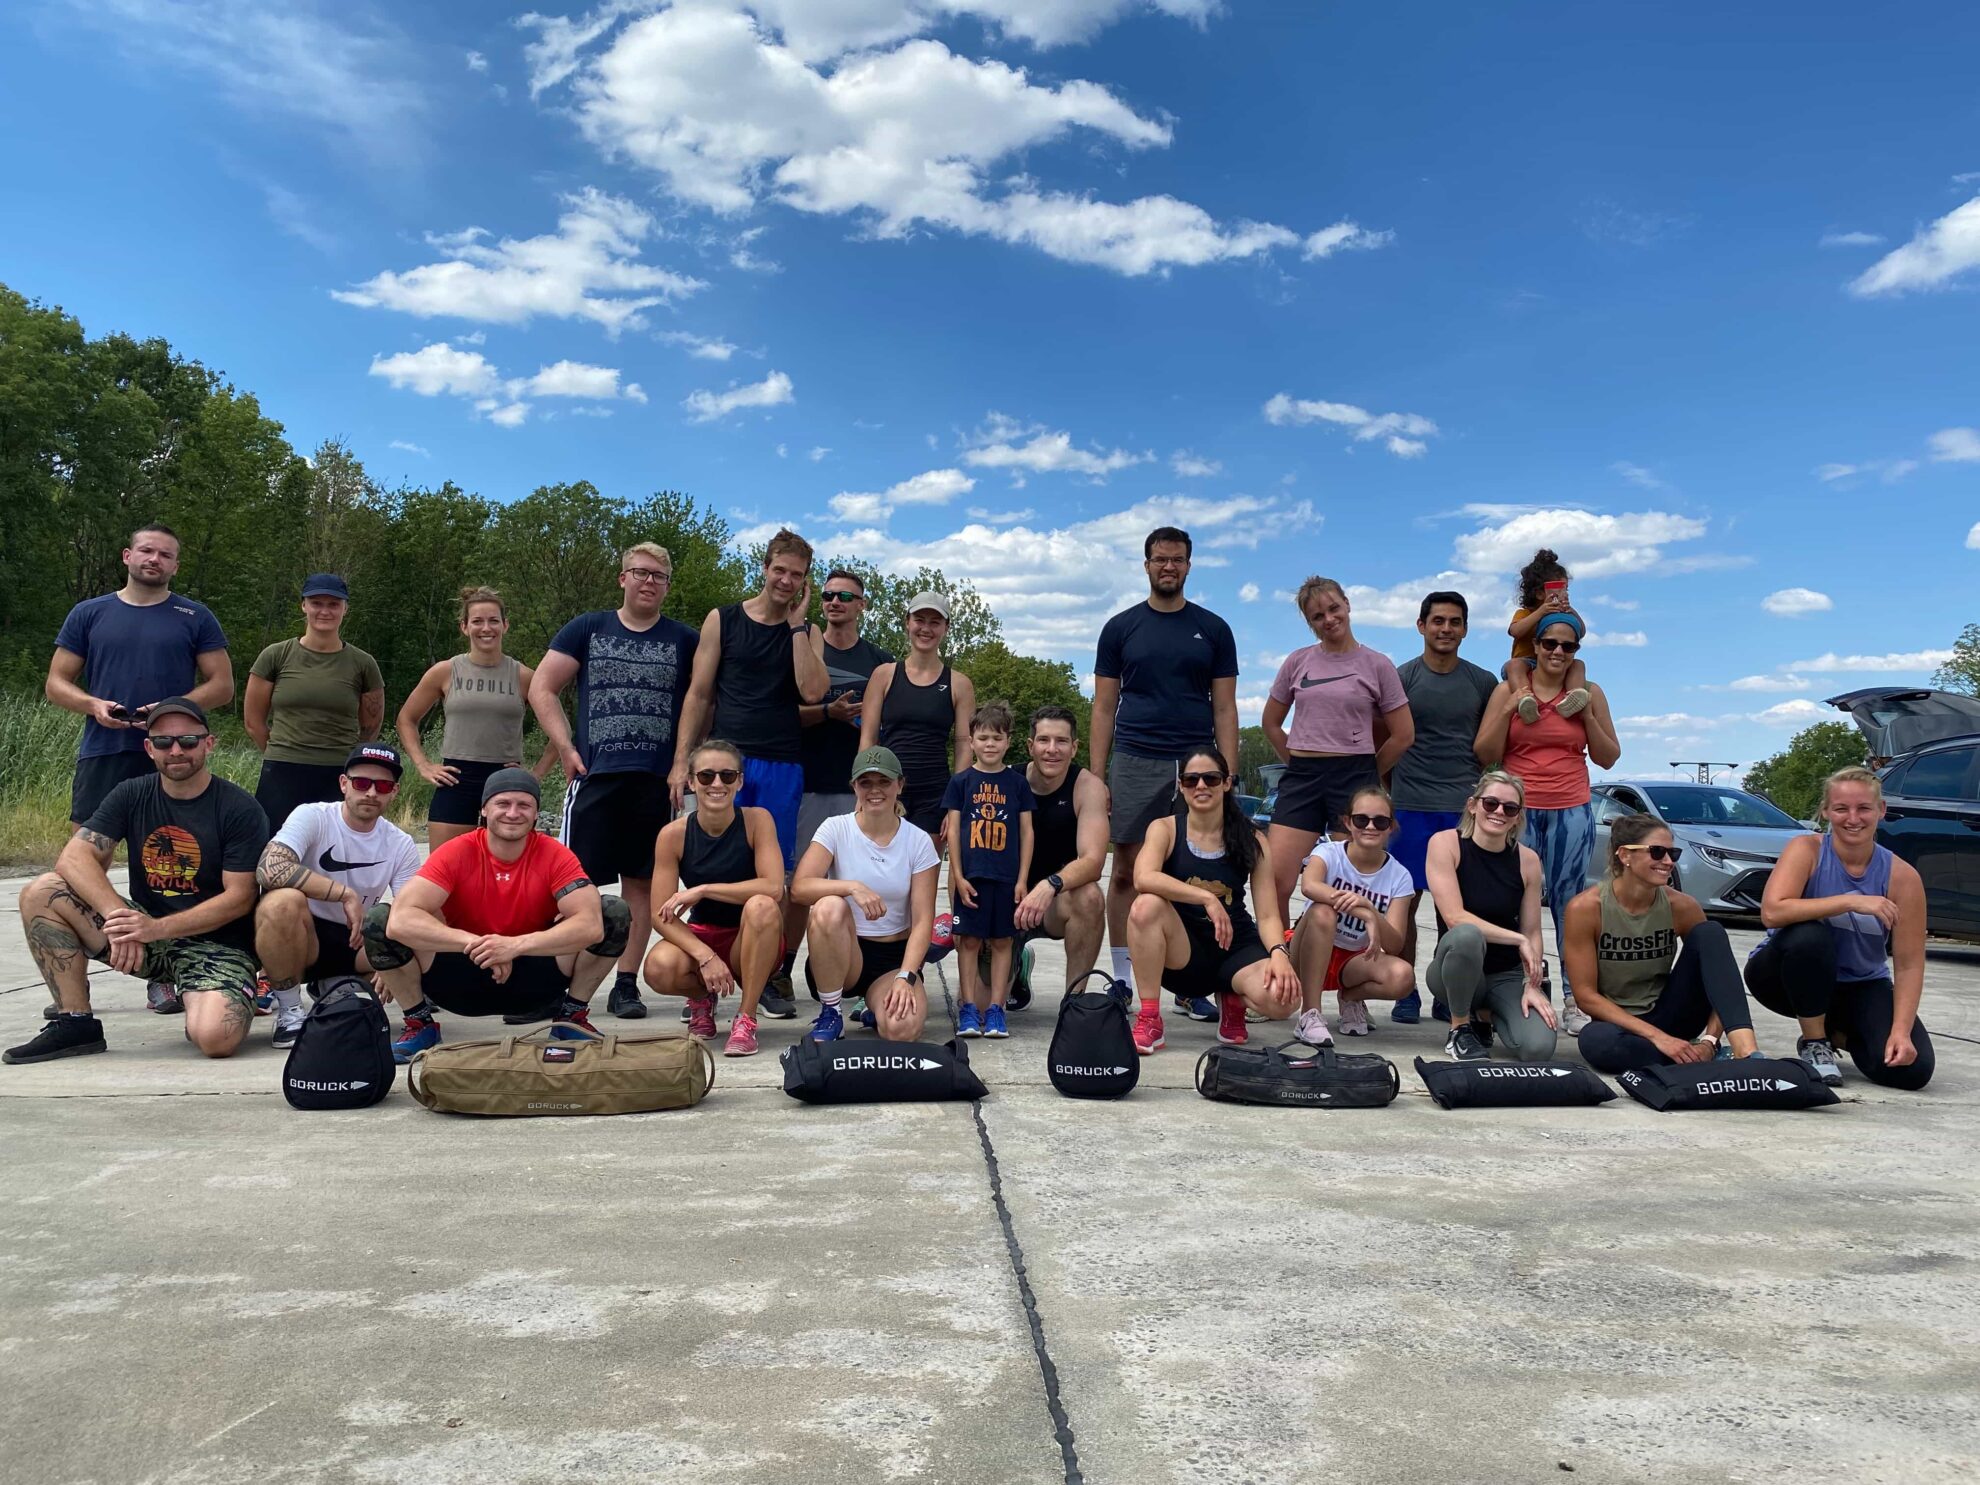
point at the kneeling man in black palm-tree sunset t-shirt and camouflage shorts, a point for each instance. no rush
(193, 846)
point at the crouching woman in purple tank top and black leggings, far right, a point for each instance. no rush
(1846, 943)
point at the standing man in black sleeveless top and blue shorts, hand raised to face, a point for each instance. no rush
(759, 662)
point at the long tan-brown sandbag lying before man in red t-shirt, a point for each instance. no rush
(591, 1074)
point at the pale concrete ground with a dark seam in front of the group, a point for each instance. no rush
(199, 1284)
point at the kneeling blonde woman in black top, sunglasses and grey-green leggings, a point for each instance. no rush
(1490, 967)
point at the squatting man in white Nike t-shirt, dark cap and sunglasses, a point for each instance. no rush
(326, 870)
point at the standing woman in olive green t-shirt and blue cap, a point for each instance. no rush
(310, 702)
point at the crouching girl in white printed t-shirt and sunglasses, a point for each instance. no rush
(1351, 940)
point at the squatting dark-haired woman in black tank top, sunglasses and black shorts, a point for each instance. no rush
(1189, 926)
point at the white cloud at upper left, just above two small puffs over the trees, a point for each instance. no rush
(585, 270)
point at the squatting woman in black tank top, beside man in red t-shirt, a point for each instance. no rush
(718, 900)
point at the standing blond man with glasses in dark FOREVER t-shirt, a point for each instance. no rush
(633, 670)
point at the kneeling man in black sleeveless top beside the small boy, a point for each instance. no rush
(1068, 844)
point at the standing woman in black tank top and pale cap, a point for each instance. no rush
(916, 708)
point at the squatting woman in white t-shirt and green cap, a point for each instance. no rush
(870, 884)
